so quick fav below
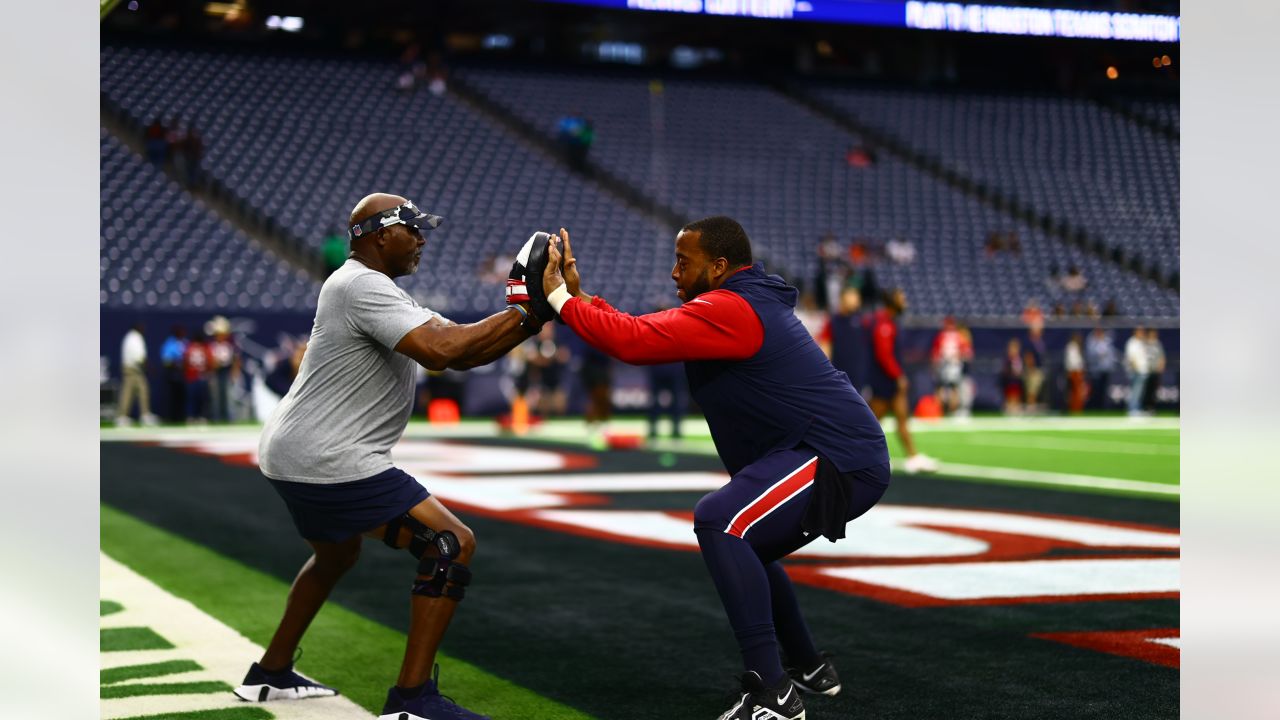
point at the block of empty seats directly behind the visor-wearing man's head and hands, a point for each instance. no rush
(300, 140)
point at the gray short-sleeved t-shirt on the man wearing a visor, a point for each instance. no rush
(354, 393)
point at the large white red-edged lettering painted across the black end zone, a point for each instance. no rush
(906, 555)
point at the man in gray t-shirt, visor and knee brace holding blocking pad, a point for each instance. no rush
(327, 452)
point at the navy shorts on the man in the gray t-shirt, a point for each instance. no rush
(337, 512)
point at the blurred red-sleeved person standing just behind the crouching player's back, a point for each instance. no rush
(889, 384)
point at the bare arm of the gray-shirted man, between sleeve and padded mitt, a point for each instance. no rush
(440, 344)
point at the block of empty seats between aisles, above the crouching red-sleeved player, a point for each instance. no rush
(742, 149)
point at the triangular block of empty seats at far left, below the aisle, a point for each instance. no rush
(161, 249)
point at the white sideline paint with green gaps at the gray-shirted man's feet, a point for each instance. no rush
(222, 653)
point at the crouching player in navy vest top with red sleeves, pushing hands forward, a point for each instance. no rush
(806, 453)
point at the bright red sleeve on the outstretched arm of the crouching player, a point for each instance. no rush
(715, 326)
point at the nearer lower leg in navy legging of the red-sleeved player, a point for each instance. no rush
(744, 590)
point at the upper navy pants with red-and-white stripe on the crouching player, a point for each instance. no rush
(766, 503)
